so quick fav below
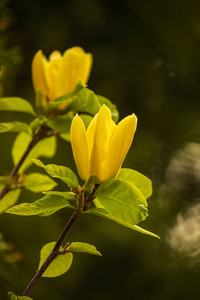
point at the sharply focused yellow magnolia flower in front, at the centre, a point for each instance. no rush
(101, 149)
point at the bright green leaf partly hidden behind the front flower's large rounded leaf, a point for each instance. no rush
(139, 180)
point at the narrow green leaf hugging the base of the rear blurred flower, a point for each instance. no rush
(66, 98)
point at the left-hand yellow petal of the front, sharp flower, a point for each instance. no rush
(79, 147)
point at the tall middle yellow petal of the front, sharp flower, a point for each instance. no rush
(99, 133)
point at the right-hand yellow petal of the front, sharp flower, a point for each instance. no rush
(118, 147)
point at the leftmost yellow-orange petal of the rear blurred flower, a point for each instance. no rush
(40, 72)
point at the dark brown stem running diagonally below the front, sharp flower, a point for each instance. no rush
(54, 253)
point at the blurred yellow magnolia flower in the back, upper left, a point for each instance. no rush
(60, 74)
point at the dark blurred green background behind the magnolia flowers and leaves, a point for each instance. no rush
(146, 61)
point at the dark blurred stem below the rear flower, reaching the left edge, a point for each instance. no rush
(41, 134)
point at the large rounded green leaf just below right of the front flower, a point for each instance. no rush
(122, 200)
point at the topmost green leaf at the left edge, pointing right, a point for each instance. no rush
(16, 104)
